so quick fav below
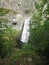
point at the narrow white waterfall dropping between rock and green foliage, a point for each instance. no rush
(25, 32)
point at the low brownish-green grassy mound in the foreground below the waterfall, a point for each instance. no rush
(18, 56)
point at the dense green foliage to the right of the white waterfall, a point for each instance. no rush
(39, 33)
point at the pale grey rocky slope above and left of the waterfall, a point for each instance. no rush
(20, 9)
